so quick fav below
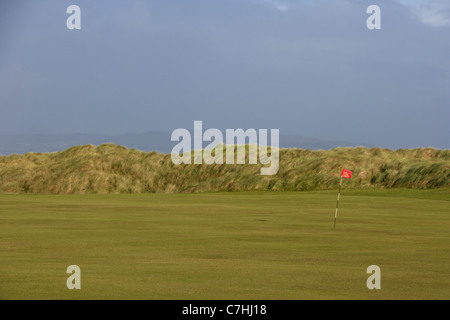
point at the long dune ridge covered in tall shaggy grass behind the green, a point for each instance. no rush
(109, 168)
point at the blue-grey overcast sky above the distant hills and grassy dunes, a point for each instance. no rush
(305, 67)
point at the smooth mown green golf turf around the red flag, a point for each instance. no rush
(226, 245)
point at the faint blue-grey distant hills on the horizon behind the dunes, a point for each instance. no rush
(149, 141)
